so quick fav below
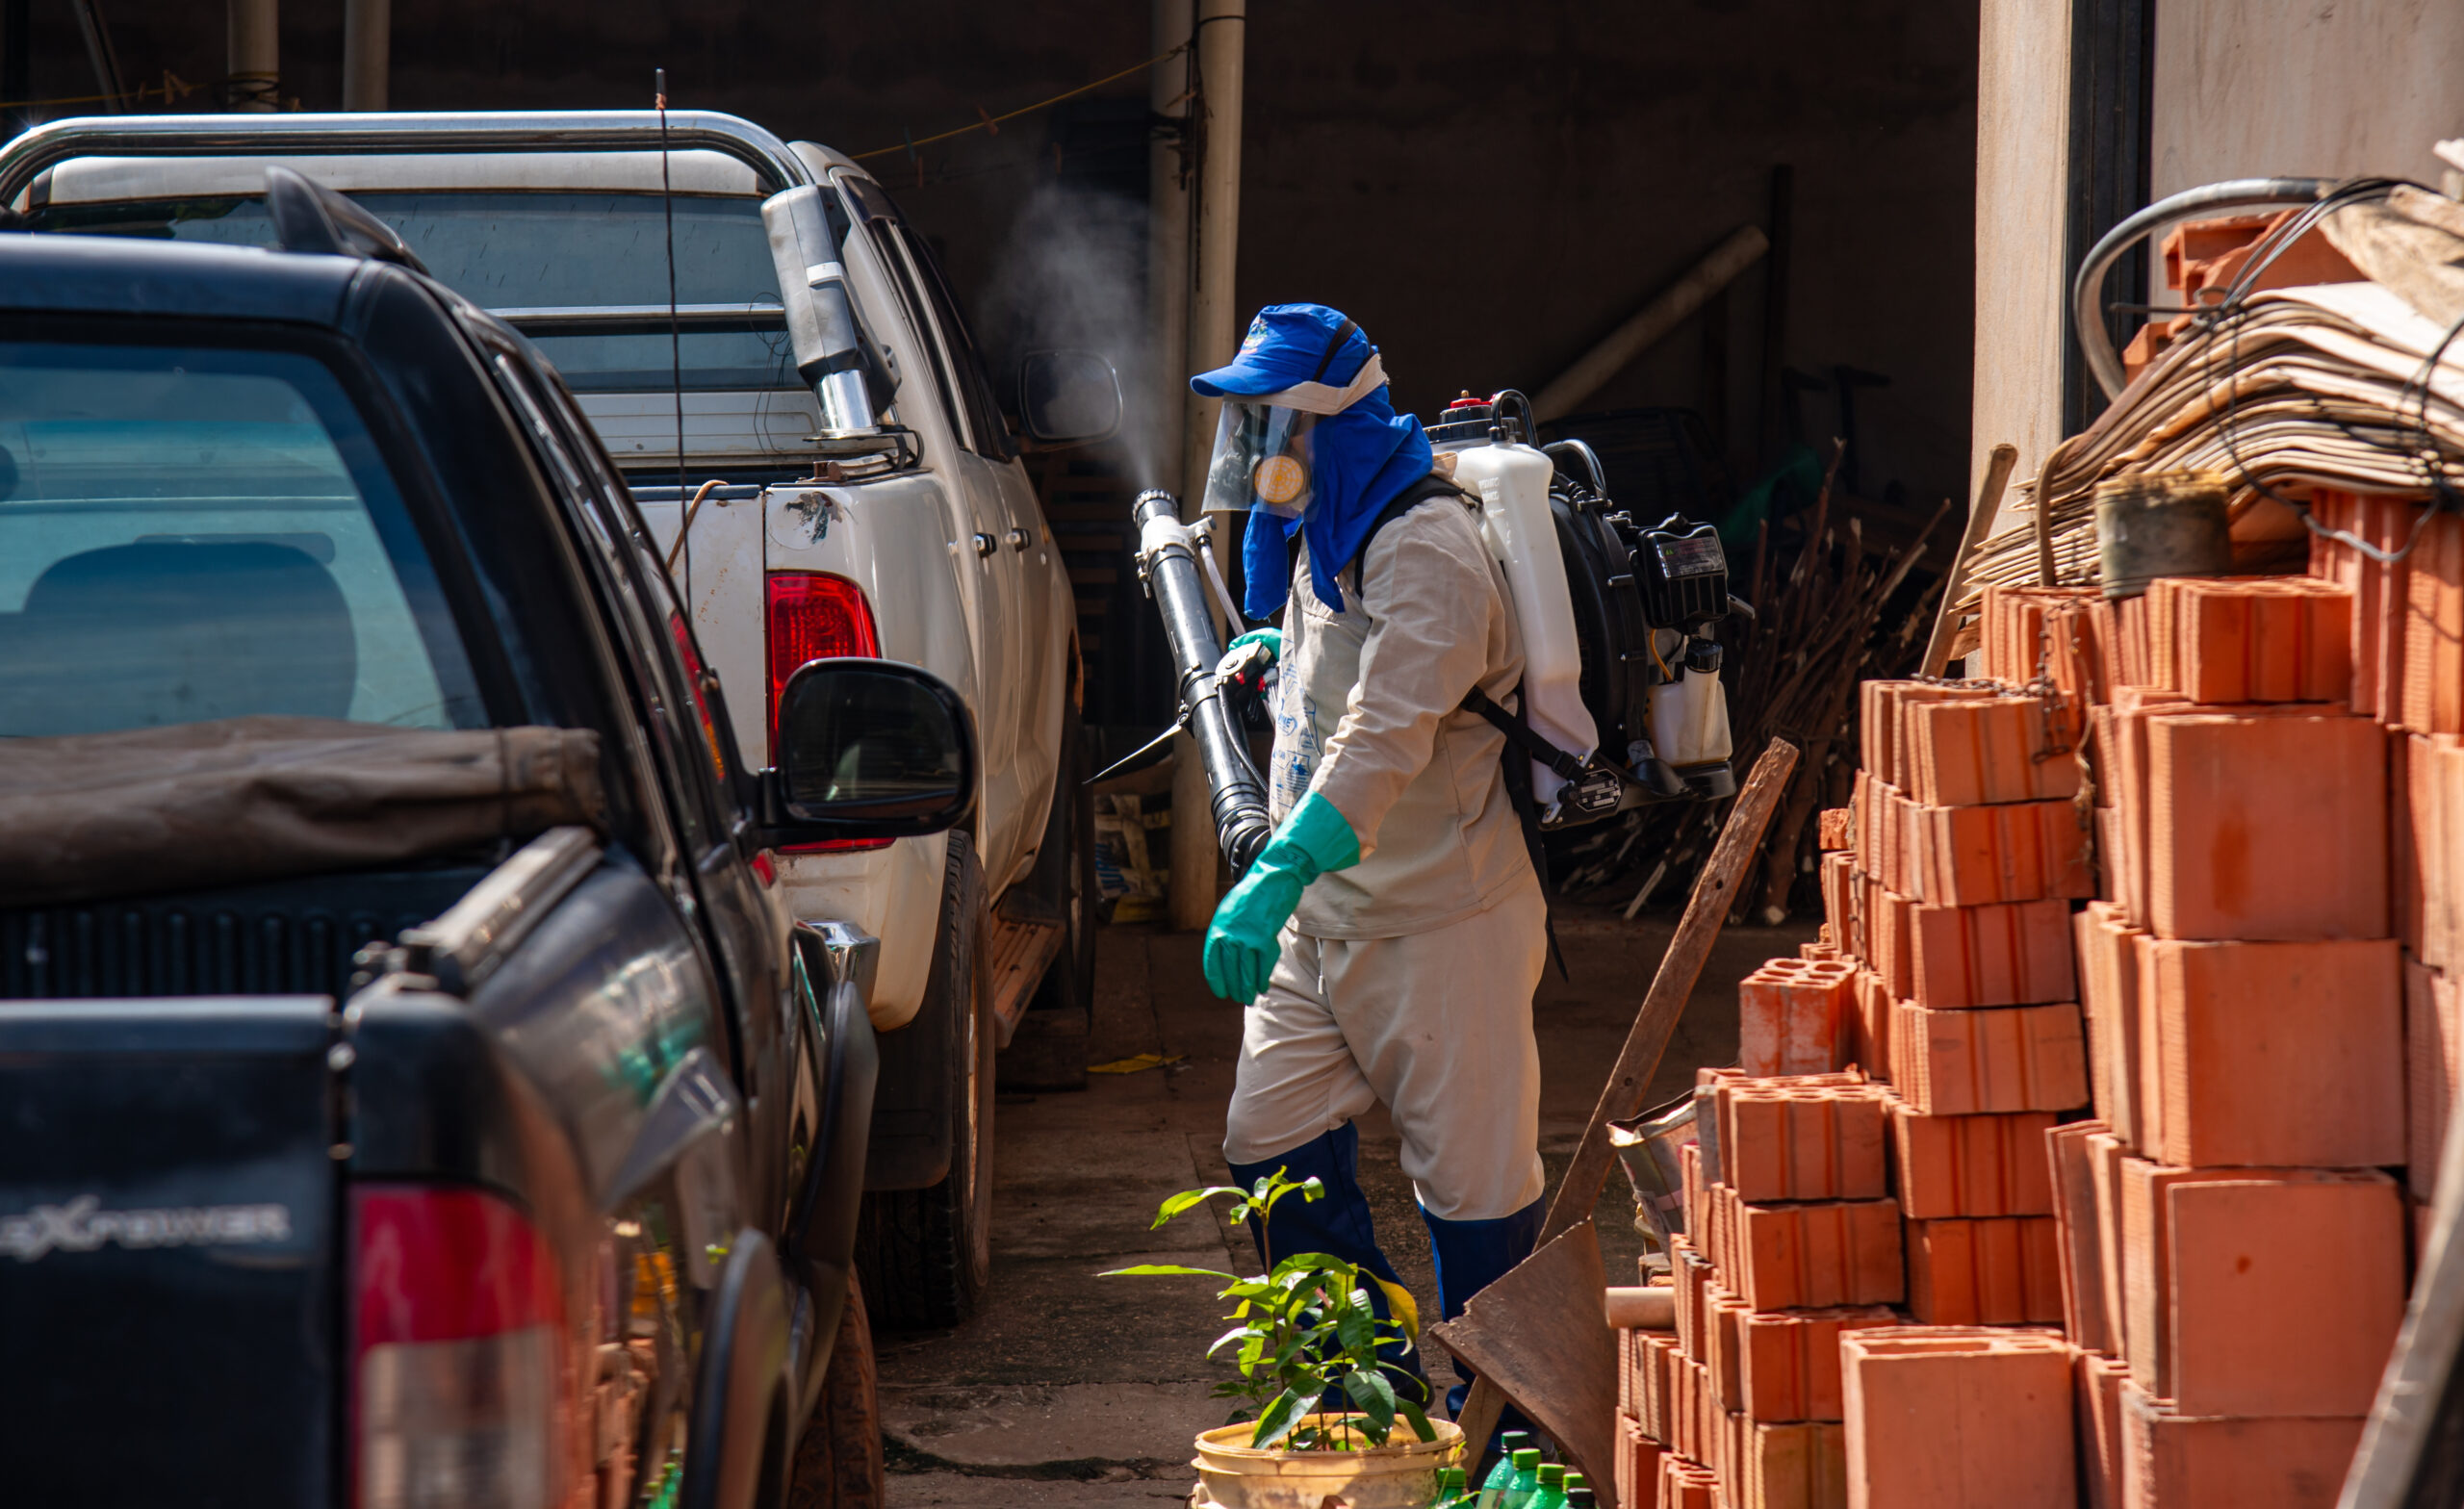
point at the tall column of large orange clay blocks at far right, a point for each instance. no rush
(2234, 1251)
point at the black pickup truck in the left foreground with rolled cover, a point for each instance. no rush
(413, 1091)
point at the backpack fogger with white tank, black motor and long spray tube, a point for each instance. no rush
(1623, 699)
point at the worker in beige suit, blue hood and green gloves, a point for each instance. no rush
(1393, 931)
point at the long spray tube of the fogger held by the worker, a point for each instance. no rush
(1236, 793)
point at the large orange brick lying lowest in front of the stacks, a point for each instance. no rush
(1958, 1419)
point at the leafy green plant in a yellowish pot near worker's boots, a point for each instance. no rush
(1307, 1333)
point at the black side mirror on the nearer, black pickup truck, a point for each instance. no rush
(869, 751)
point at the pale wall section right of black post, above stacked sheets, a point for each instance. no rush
(2266, 88)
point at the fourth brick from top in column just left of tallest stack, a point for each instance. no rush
(2004, 1059)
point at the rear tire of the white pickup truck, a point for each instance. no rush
(928, 1254)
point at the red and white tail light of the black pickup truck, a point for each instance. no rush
(457, 1399)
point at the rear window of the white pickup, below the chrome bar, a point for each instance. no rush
(590, 263)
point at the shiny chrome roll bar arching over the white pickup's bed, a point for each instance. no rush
(326, 134)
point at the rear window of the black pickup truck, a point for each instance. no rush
(193, 534)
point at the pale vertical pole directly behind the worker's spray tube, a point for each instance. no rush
(1214, 339)
